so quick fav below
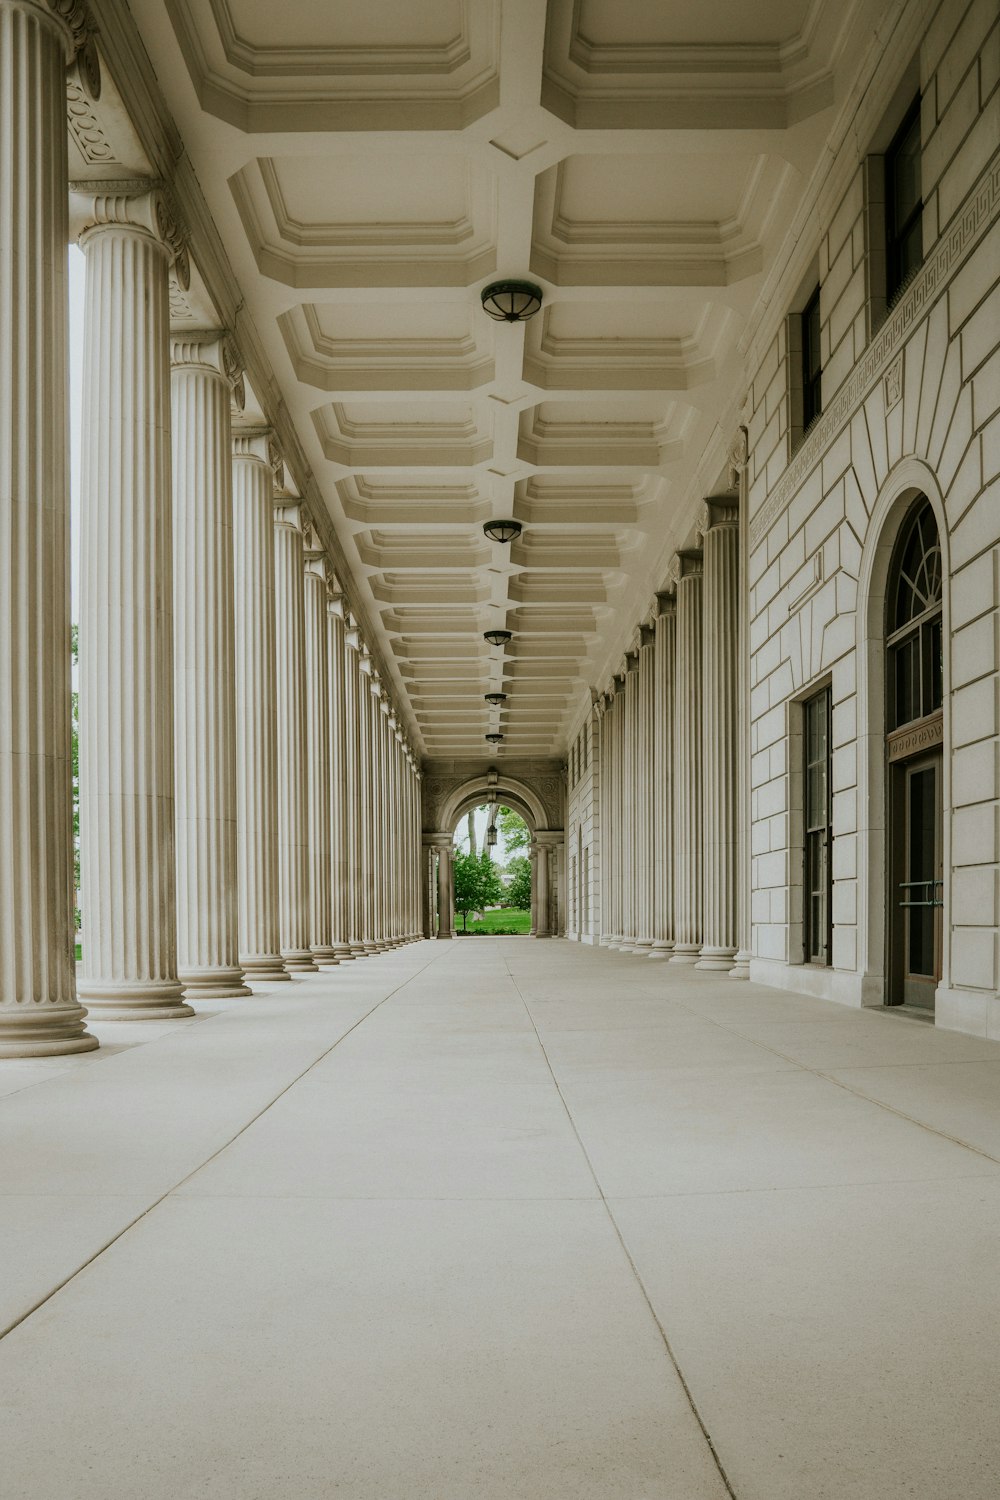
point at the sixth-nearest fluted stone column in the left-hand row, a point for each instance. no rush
(316, 593)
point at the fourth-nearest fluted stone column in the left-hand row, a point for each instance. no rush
(254, 461)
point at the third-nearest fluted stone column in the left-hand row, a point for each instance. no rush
(203, 376)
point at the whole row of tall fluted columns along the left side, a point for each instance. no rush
(248, 803)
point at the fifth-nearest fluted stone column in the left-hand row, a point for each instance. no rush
(293, 788)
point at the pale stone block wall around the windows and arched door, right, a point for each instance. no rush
(911, 404)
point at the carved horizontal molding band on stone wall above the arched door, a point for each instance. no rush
(972, 223)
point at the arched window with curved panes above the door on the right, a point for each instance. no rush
(914, 628)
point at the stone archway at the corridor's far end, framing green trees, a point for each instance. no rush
(494, 862)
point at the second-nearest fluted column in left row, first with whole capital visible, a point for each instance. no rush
(127, 659)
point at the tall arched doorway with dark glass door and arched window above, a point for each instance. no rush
(914, 746)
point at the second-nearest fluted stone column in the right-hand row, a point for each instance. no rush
(686, 574)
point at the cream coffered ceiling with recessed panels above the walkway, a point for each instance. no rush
(373, 164)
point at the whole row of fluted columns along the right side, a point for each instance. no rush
(669, 766)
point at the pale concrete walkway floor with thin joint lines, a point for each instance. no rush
(506, 1220)
